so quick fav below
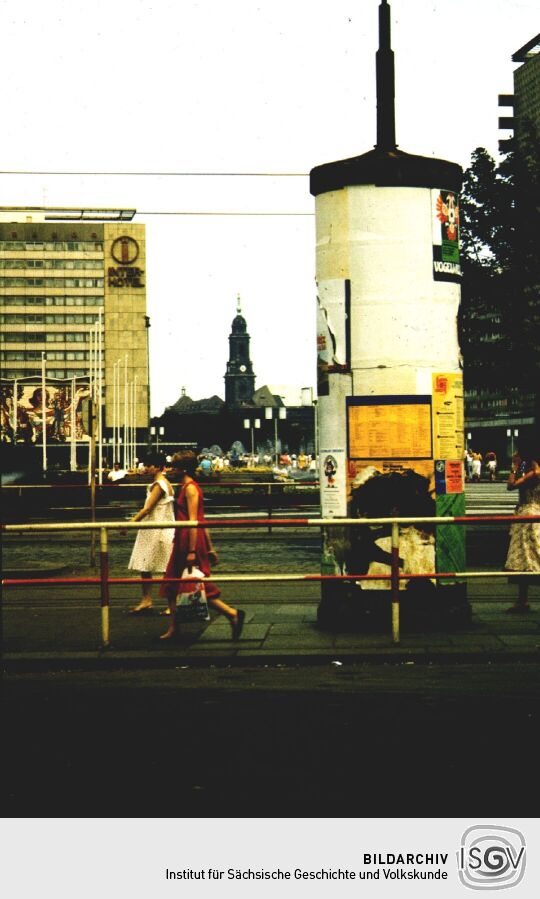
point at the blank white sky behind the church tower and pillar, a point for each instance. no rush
(238, 86)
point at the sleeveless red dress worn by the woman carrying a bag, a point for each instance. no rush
(178, 560)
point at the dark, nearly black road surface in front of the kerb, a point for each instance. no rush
(283, 741)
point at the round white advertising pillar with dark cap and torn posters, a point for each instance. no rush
(389, 379)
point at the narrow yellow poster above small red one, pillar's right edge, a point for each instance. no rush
(448, 438)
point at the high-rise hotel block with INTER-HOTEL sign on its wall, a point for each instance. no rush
(62, 271)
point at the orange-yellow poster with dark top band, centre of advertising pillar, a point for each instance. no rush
(389, 427)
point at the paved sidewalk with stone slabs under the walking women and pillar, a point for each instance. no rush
(53, 628)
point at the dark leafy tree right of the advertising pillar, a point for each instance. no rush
(500, 313)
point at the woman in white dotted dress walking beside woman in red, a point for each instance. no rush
(153, 546)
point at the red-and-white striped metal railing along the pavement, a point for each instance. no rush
(104, 579)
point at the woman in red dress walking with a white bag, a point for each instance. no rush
(193, 547)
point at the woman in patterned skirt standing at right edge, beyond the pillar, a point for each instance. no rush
(524, 549)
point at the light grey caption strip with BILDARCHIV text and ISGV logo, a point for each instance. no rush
(209, 858)
